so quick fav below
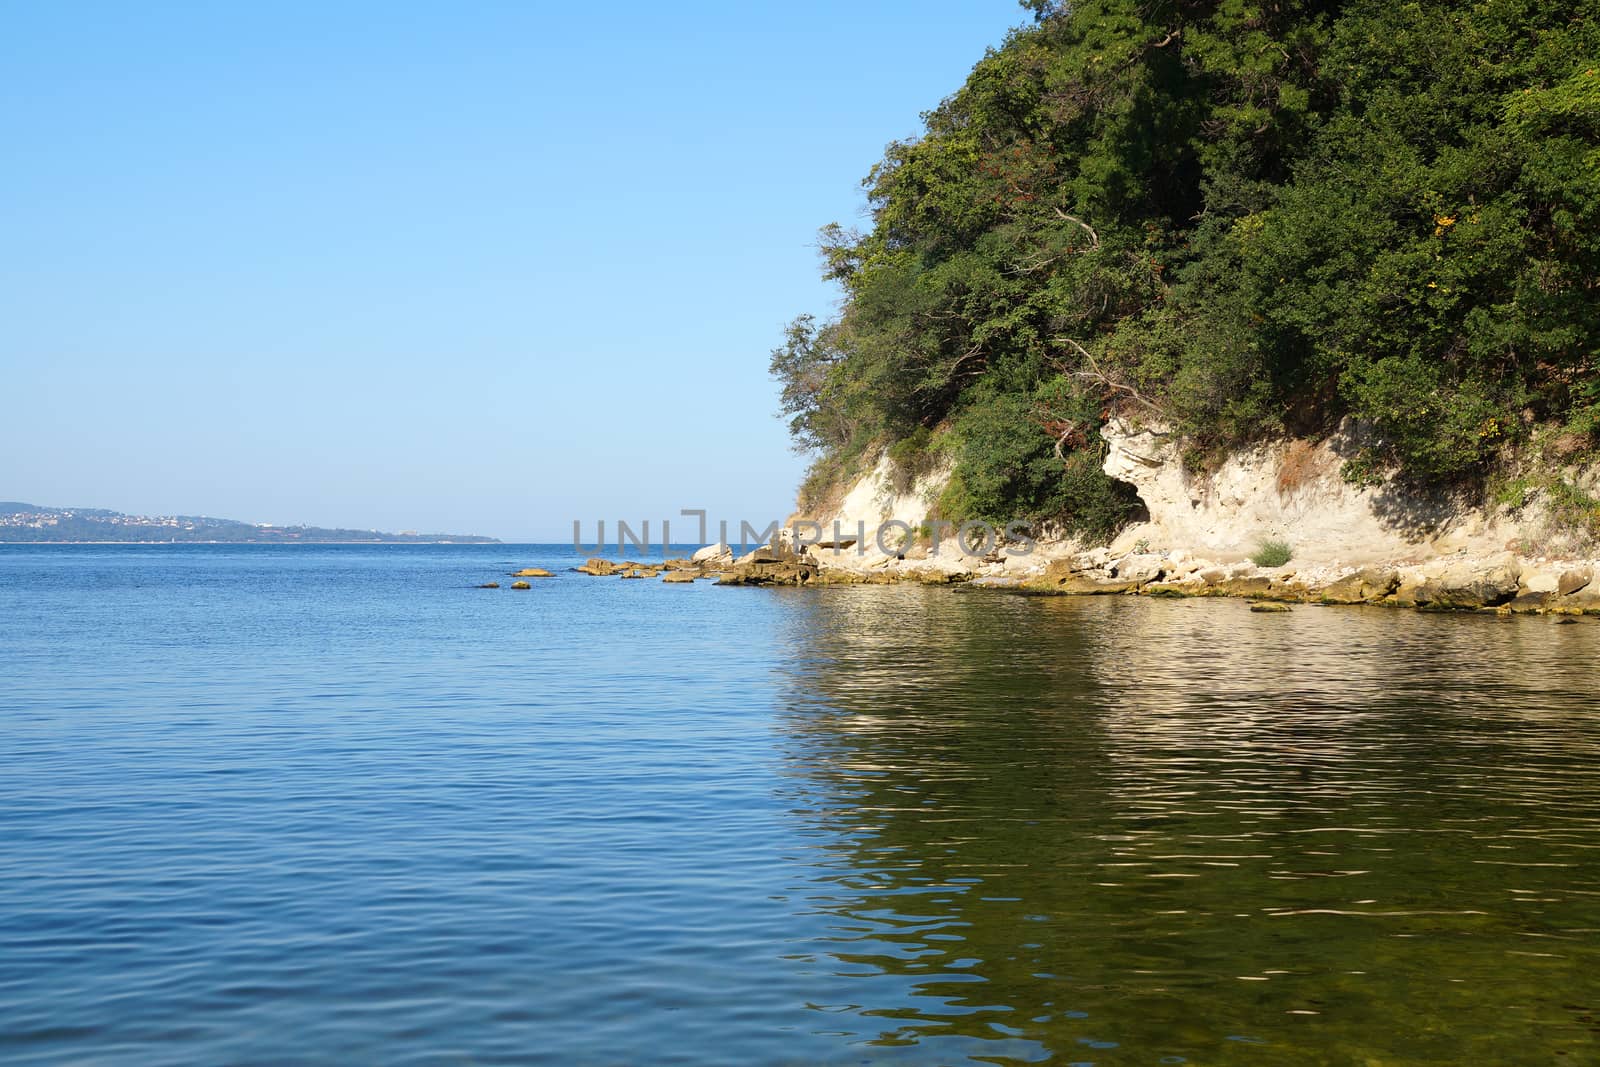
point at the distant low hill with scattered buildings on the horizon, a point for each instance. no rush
(34, 524)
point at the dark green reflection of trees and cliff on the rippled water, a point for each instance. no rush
(1042, 823)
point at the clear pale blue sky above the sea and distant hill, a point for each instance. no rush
(482, 268)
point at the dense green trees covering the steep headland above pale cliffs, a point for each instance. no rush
(1233, 217)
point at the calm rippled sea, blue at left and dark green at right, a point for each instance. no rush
(334, 805)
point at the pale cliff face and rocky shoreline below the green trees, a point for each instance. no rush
(1204, 533)
